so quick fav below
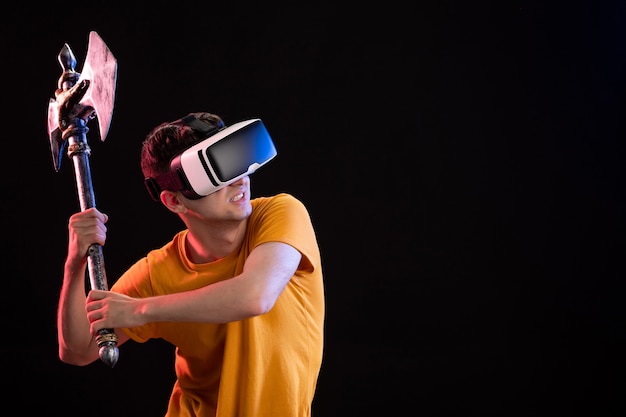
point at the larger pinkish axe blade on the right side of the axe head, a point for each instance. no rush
(100, 69)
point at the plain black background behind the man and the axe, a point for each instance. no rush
(462, 163)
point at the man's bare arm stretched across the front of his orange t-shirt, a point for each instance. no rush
(267, 270)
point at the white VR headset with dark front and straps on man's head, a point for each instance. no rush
(223, 156)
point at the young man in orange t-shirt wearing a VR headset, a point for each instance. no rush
(239, 291)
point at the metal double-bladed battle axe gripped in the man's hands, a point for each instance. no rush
(79, 98)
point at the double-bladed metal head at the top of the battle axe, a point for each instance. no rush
(92, 92)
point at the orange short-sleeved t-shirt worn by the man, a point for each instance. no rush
(263, 366)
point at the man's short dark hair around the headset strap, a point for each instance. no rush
(168, 139)
